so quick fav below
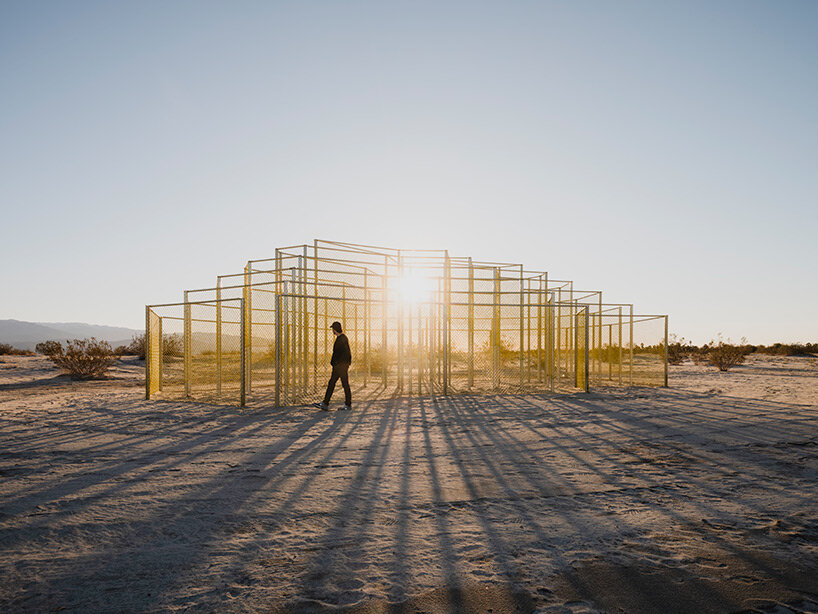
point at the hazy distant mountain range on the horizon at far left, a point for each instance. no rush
(25, 335)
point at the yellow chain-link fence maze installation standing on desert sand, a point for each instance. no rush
(420, 322)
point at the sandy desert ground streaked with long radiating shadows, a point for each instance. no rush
(698, 498)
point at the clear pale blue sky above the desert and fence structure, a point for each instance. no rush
(663, 152)
